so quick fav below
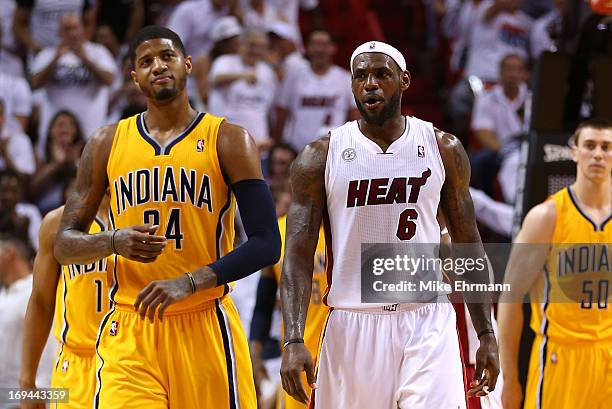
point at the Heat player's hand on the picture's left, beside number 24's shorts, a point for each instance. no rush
(297, 358)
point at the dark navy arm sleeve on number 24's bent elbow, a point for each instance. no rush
(262, 248)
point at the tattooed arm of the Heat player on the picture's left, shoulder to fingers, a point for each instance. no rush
(303, 223)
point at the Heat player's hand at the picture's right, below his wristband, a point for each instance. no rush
(487, 367)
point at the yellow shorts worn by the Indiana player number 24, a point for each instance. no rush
(197, 359)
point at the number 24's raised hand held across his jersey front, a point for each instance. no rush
(138, 243)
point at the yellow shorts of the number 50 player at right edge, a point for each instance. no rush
(569, 376)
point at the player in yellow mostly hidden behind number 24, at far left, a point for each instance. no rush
(75, 297)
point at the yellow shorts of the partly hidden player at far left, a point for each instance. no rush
(75, 370)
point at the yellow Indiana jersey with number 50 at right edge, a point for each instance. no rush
(571, 301)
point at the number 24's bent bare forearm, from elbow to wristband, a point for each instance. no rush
(75, 247)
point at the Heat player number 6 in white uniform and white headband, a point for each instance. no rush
(379, 180)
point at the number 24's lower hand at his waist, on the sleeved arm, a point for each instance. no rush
(158, 295)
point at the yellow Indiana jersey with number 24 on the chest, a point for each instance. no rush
(180, 188)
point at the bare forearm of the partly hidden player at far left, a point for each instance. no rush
(38, 320)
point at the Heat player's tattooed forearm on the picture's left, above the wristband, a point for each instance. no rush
(296, 286)
